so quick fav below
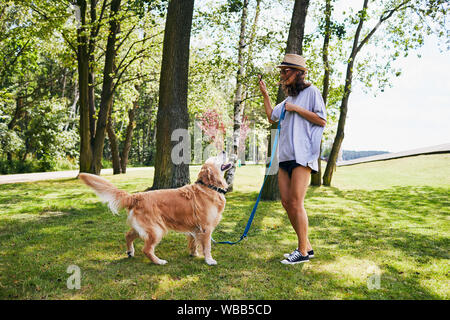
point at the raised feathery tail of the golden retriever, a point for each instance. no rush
(107, 192)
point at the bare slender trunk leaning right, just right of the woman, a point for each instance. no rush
(331, 163)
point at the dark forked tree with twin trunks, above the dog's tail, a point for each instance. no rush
(91, 141)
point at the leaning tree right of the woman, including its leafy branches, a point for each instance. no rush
(396, 34)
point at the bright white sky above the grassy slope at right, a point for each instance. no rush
(414, 113)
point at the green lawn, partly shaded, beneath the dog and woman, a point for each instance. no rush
(362, 224)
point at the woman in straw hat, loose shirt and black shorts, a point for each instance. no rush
(299, 145)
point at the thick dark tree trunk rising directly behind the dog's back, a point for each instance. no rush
(172, 109)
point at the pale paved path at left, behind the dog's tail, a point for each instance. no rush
(38, 176)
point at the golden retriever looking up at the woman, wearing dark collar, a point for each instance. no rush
(194, 209)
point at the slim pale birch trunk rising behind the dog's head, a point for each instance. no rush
(237, 112)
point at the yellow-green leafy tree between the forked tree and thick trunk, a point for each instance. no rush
(143, 44)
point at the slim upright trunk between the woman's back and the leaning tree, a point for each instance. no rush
(316, 178)
